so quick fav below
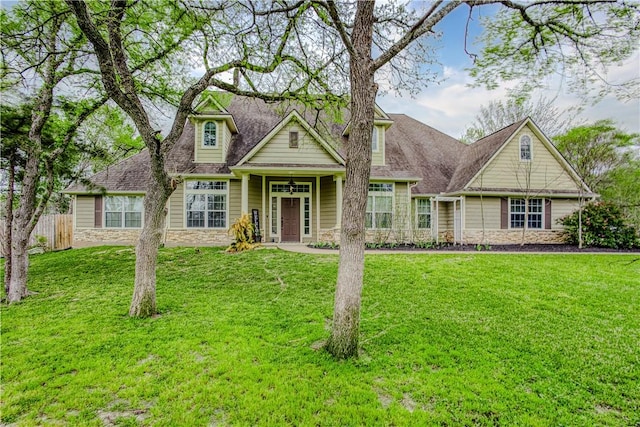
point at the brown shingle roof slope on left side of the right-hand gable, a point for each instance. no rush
(476, 155)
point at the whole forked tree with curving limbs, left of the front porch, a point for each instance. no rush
(265, 42)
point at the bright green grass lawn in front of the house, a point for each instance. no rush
(462, 339)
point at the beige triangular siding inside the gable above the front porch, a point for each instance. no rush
(309, 151)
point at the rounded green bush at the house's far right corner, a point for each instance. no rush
(603, 226)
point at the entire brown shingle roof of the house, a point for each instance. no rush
(413, 149)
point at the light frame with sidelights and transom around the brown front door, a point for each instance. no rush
(278, 196)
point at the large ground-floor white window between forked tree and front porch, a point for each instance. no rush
(206, 204)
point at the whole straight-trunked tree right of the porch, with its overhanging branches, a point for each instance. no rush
(540, 34)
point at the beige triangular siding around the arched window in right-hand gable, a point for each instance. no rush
(542, 172)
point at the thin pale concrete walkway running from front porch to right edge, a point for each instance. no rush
(304, 249)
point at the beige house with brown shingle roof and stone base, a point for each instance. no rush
(286, 167)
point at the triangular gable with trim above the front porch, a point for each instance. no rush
(313, 148)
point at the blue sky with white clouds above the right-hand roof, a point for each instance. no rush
(452, 105)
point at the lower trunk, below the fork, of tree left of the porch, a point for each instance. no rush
(143, 303)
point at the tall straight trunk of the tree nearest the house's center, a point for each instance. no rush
(343, 342)
